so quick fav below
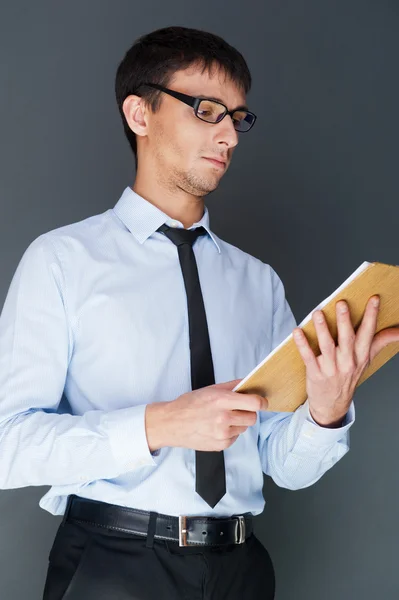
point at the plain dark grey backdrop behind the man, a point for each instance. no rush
(312, 190)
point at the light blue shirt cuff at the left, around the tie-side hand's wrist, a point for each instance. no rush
(128, 440)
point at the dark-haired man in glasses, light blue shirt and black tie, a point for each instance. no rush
(113, 334)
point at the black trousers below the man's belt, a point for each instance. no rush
(87, 562)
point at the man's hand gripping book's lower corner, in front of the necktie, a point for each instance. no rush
(210, 418)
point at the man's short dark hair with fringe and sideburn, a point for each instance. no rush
(155, 58)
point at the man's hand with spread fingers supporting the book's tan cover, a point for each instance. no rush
(331, 377)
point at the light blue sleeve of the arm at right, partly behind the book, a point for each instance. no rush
(294, 450)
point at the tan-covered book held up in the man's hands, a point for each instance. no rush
(281, 376)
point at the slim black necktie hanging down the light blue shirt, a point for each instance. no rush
(210, 476)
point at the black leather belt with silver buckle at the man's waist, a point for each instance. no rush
(187, 530)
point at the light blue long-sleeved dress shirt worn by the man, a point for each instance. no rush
(95, 326)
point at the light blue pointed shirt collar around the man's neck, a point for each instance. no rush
(143, 218)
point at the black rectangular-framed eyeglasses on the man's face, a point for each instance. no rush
(212, 111)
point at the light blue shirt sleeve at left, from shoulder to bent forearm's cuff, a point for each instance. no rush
(38, 445)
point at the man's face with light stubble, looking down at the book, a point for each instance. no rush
(181, 143)
